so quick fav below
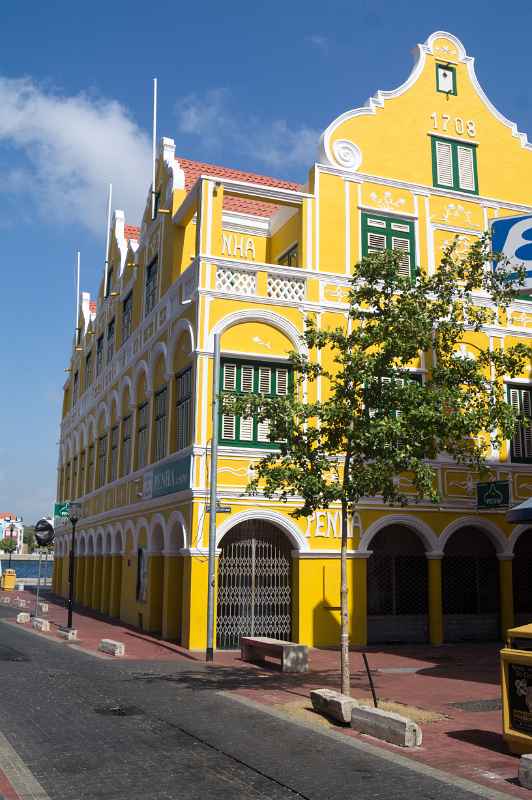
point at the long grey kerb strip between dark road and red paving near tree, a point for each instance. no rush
(387, 755)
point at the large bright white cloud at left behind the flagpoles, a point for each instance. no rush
(68, 149)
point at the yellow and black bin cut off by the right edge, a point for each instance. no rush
(516, 685)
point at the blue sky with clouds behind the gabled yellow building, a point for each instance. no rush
(250, 85)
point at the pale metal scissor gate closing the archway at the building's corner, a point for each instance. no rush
(254, 584)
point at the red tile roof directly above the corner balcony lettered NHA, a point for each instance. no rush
(193, 169)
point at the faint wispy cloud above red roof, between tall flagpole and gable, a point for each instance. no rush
(219, 127)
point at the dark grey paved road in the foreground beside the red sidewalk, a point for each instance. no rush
(90, 729)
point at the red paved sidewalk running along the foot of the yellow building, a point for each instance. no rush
(453, 690)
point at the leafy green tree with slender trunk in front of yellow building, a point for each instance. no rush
(375, 422)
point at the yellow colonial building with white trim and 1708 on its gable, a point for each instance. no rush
(251, 257)
